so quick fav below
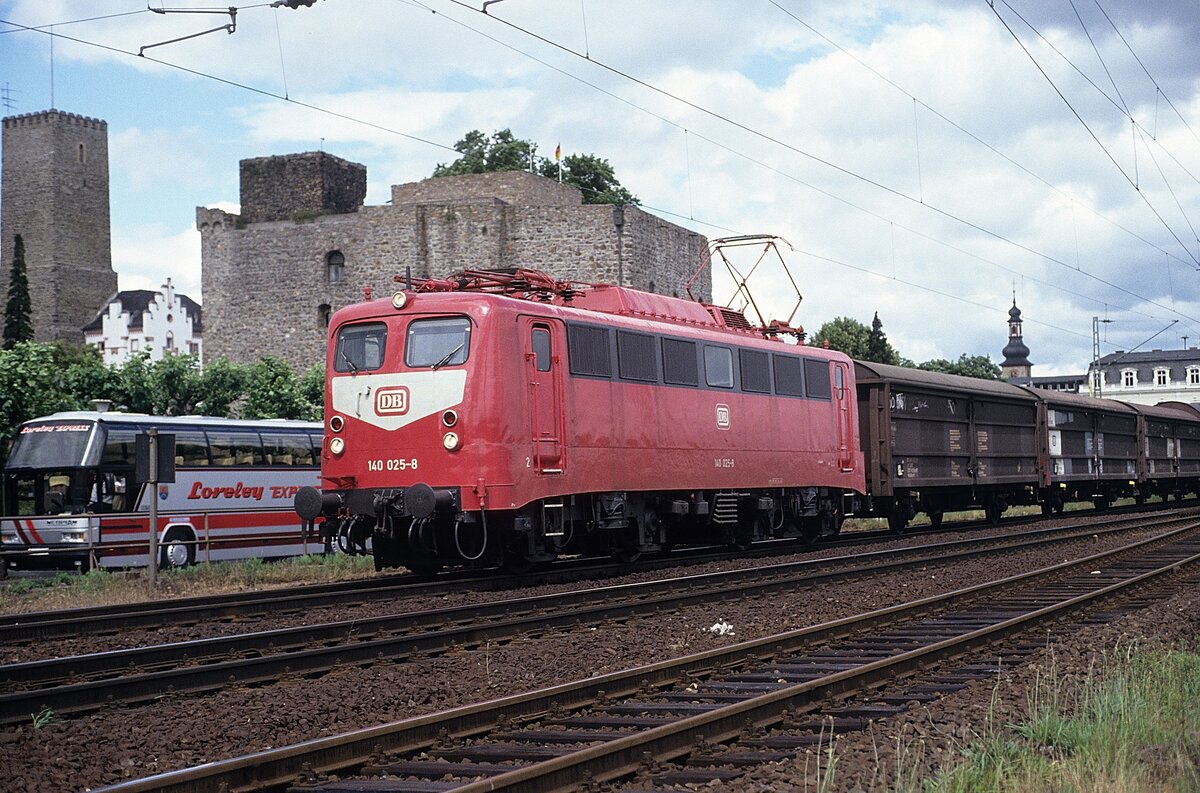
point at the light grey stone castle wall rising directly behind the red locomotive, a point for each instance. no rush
(266, 284)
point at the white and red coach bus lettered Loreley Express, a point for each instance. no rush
(73, 498)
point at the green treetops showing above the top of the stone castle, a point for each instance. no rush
(593, 176)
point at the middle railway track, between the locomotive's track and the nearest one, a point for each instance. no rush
(79, 684)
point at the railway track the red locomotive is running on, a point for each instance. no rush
(44, 627)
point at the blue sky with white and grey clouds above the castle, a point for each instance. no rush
(922, 160)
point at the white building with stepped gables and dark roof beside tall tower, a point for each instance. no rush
(141, 320)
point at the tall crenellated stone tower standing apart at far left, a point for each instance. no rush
(55, 194)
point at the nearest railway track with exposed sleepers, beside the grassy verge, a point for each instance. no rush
(722, 710)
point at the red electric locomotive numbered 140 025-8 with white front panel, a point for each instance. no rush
(506, 419)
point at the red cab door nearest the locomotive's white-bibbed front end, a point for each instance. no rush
(544, 369)
